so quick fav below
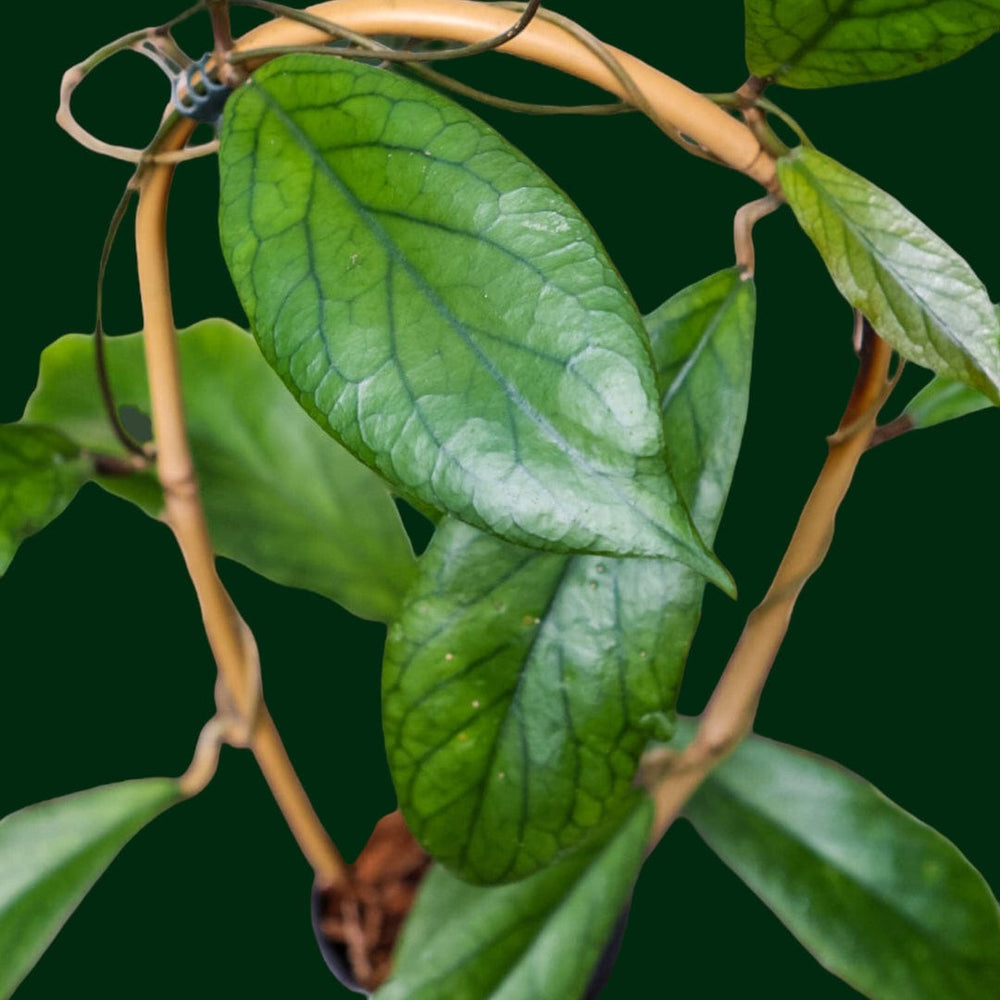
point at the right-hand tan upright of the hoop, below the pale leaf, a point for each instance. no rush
(731, 710)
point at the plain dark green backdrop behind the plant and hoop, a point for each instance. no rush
(891, 663)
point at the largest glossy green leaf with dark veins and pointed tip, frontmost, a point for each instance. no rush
(436, 303)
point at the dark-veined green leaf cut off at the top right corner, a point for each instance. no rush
(825, 43)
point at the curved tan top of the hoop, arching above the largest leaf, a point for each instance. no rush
(677, 109)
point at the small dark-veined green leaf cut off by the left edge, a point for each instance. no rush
(40, 472)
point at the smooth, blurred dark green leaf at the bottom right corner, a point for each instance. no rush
(881, 899)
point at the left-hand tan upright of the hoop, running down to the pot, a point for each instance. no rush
(232, 643)
